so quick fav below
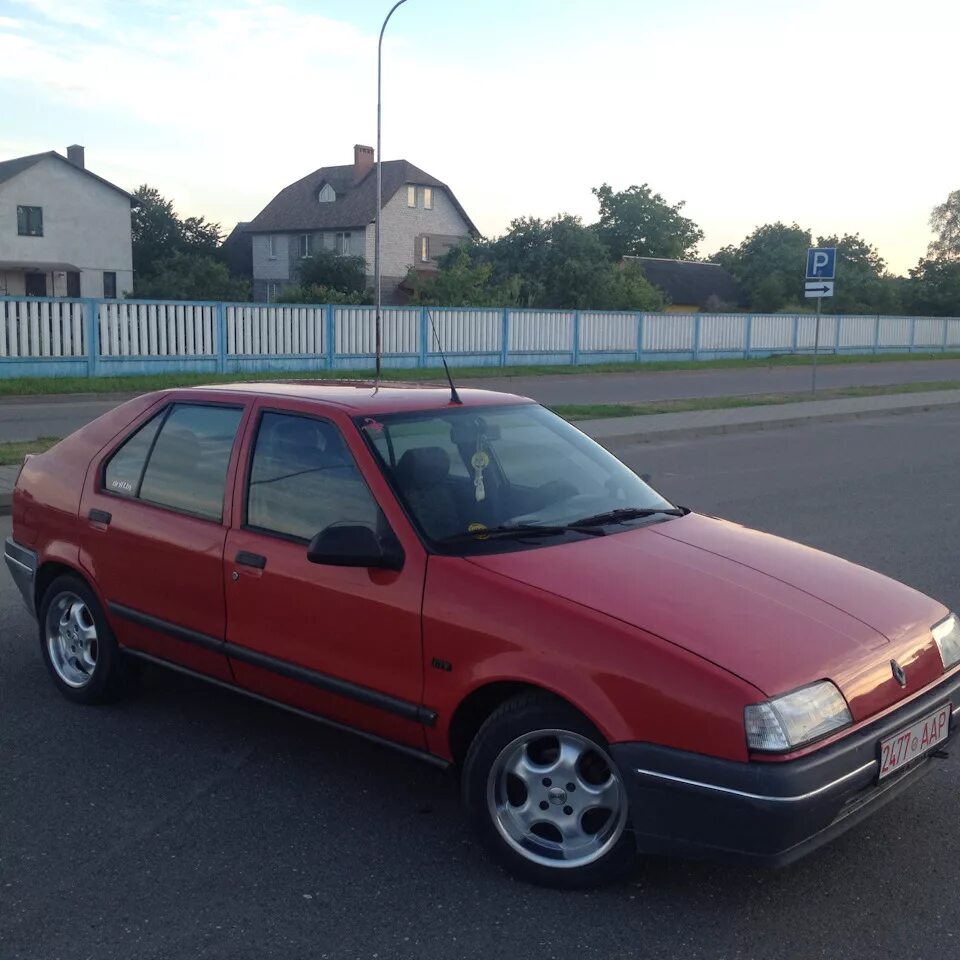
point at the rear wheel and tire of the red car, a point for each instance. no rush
(79, 647)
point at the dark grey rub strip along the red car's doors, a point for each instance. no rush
(344, 688)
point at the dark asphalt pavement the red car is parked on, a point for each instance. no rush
(192, 823)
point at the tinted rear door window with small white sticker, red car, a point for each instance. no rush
(179, 459)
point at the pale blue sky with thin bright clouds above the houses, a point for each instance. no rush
(838, 115)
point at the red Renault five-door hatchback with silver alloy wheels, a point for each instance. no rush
(475, 582)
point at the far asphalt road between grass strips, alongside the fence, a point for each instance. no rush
(25, 421)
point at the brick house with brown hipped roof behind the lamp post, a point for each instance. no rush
(335, 208)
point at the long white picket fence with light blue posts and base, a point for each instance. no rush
(111, 333)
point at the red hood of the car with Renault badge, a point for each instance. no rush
(773, 612)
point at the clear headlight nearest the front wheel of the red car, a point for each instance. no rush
(790, 721)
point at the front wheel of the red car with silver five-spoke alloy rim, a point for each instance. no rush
(544, 796)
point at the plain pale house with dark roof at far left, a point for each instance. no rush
(64, 231)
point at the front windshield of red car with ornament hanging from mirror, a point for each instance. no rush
(484, 479)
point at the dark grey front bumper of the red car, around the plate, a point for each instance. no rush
(687, 804)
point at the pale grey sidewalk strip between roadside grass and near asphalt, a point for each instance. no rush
(615, 431)
